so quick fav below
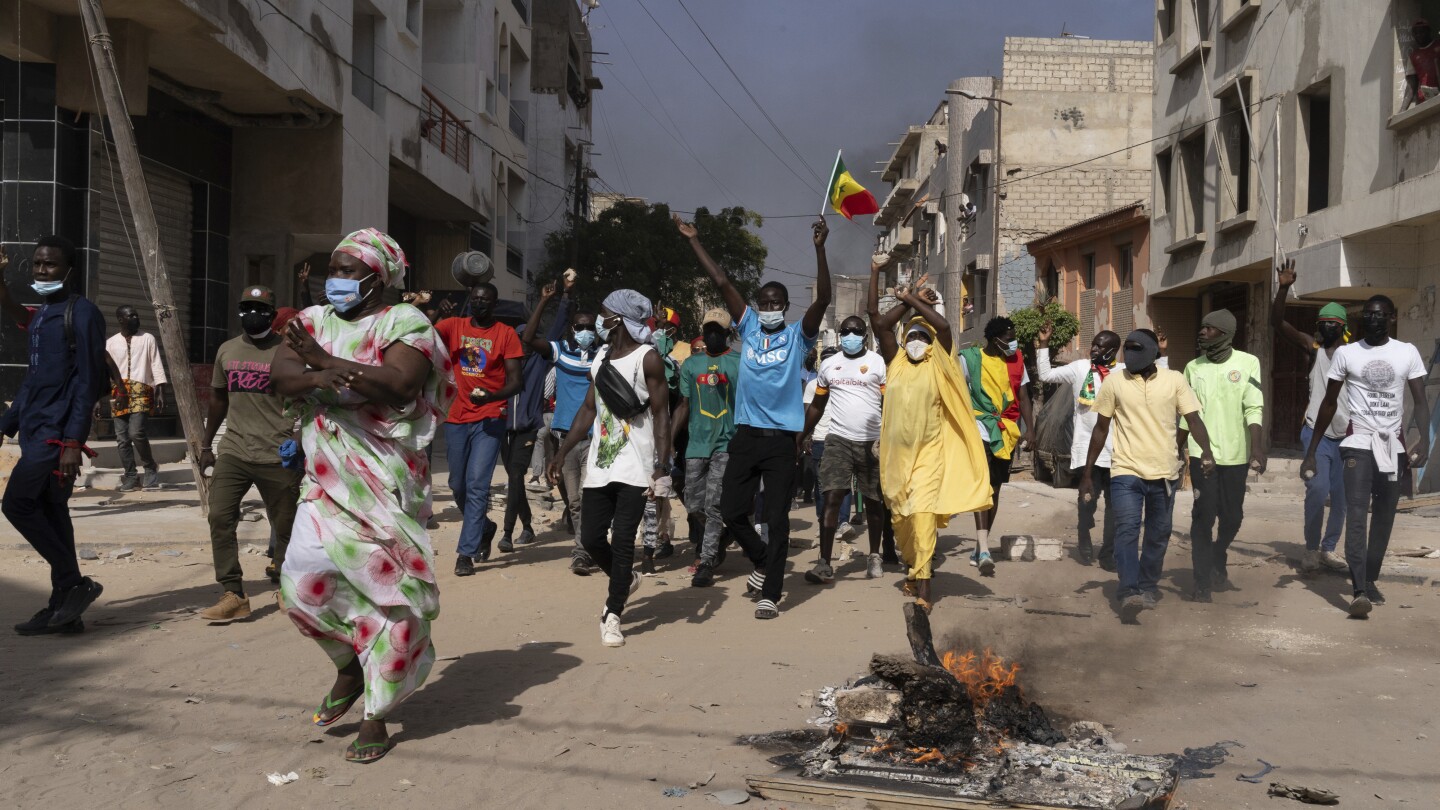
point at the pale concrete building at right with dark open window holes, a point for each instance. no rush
(1287, 130)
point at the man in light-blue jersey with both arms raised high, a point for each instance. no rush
(770, 414)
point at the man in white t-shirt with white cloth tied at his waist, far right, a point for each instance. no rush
(1373, 375)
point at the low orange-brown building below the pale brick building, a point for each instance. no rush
(1097, 269)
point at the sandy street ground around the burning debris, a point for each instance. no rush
(153, 708)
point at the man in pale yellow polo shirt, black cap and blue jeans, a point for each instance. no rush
(1144, 403)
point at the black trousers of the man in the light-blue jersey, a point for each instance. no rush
(761, 456)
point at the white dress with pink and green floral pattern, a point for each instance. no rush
(359, 576)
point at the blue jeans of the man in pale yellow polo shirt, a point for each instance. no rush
(1140, 564)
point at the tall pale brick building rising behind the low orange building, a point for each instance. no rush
(1035, 152)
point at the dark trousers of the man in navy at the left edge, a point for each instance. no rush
(38, 505)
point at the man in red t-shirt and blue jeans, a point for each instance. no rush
(486, 357)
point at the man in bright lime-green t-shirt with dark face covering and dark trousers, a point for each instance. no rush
(1232, 404)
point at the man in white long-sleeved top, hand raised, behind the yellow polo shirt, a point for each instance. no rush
(1085, 380)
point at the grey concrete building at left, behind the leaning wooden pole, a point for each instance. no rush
(269, 133)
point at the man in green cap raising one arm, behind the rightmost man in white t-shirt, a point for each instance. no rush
(1328, 485)
